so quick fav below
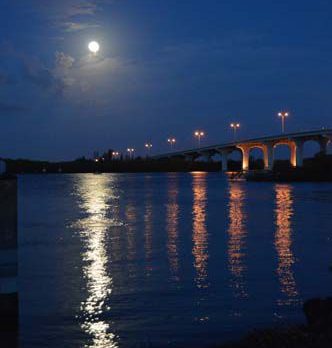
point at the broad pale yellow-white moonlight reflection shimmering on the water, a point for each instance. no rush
(95, 193)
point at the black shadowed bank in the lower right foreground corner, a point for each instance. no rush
(317, 333)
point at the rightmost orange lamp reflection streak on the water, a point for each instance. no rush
(284, 212)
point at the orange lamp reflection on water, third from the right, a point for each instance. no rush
(200, 238)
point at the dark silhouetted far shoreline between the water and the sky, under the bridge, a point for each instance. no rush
(317, 169)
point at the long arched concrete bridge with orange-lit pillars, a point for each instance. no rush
(294, 141)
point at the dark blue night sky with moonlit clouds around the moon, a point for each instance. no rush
(165, 68)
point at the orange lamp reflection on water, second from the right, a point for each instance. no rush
(237, 239)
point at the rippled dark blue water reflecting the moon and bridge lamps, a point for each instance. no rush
(141, 260)
